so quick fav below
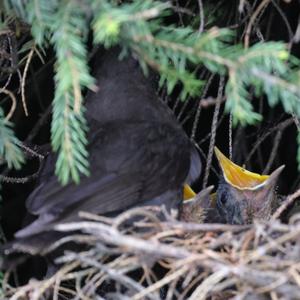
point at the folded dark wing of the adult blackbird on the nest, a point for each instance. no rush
(129, 164)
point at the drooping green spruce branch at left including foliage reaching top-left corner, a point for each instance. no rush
(64, 24)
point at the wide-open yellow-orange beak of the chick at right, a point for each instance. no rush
(242, 179)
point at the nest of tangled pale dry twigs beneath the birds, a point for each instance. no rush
(138, 256)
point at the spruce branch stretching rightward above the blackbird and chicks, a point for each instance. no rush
(169, 50)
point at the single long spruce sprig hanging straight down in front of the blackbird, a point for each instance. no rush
(68, 129)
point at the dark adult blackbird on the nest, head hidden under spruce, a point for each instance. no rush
(139, 155)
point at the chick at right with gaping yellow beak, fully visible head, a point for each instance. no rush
(243, 196)
